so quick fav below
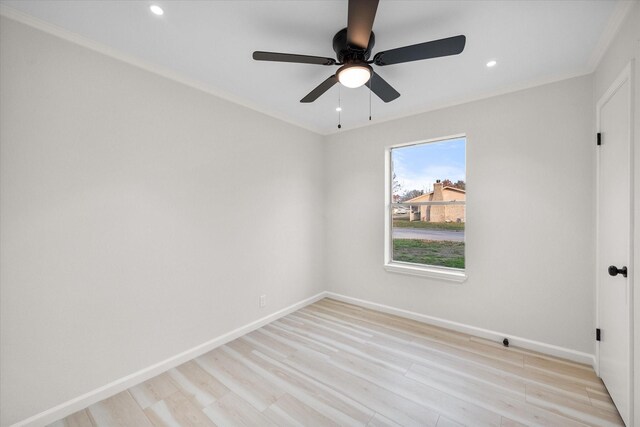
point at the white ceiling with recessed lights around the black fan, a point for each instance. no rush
(210, 43)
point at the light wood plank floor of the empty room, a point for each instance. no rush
(333, 363)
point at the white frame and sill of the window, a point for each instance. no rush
(444, 273)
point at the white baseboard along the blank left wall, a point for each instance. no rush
(87, 399)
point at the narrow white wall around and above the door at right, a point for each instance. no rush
(624, 48)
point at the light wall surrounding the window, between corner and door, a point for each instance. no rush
(530, 222)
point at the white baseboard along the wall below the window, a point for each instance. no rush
(549, 349)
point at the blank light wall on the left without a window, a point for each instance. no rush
(139, 218)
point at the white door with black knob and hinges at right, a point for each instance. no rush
(614, 243)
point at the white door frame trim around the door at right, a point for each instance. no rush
(627, 75)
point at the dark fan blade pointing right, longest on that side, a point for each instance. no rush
(417, 52)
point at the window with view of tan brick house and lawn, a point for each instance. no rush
(426, 212)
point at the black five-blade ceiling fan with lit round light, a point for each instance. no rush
(353, 47)
